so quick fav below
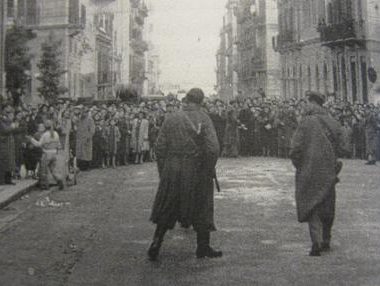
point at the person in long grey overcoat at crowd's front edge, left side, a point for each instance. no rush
(84, 134)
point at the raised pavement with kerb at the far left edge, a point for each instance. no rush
(10, 193)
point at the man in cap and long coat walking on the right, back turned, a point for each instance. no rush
(315, 148)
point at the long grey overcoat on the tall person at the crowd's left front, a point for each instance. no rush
(85, 133)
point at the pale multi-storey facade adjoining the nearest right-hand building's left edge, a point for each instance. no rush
(259, 72)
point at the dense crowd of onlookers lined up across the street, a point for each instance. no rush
(105, 135)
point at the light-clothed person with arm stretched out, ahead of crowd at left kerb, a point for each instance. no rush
(50, 145)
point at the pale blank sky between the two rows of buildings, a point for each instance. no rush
(186, 36)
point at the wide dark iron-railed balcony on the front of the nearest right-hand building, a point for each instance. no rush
(345, 33)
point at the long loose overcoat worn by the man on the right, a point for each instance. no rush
(314, 157)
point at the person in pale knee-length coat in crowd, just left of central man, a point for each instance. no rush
(140, 137)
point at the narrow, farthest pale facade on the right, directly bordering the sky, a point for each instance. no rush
(227, 56)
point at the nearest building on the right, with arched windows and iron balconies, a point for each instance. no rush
(331, 46)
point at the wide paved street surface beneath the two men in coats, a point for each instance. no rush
(98, 232)
